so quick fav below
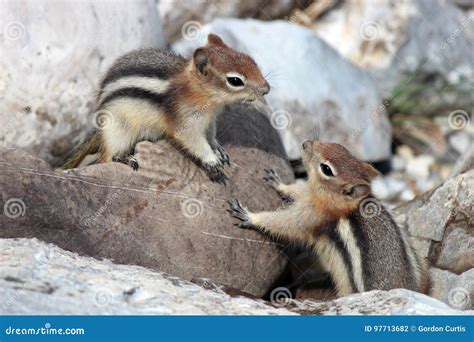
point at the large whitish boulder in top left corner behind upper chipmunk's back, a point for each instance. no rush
(53, 54)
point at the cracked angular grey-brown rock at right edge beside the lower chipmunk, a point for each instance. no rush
(442, 229)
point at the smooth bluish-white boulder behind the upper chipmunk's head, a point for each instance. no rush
(308, 98)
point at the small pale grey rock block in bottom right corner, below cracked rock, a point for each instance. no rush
(456, 290)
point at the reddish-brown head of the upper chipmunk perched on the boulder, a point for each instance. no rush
(232, 76)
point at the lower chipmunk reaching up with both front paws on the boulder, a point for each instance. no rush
(333, 212)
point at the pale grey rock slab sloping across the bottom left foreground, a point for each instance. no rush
(42, 279)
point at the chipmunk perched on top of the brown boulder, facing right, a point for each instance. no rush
(152, 94)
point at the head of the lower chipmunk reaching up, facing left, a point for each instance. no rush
(336, 175)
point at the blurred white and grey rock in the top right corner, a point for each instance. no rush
(432, 35)
